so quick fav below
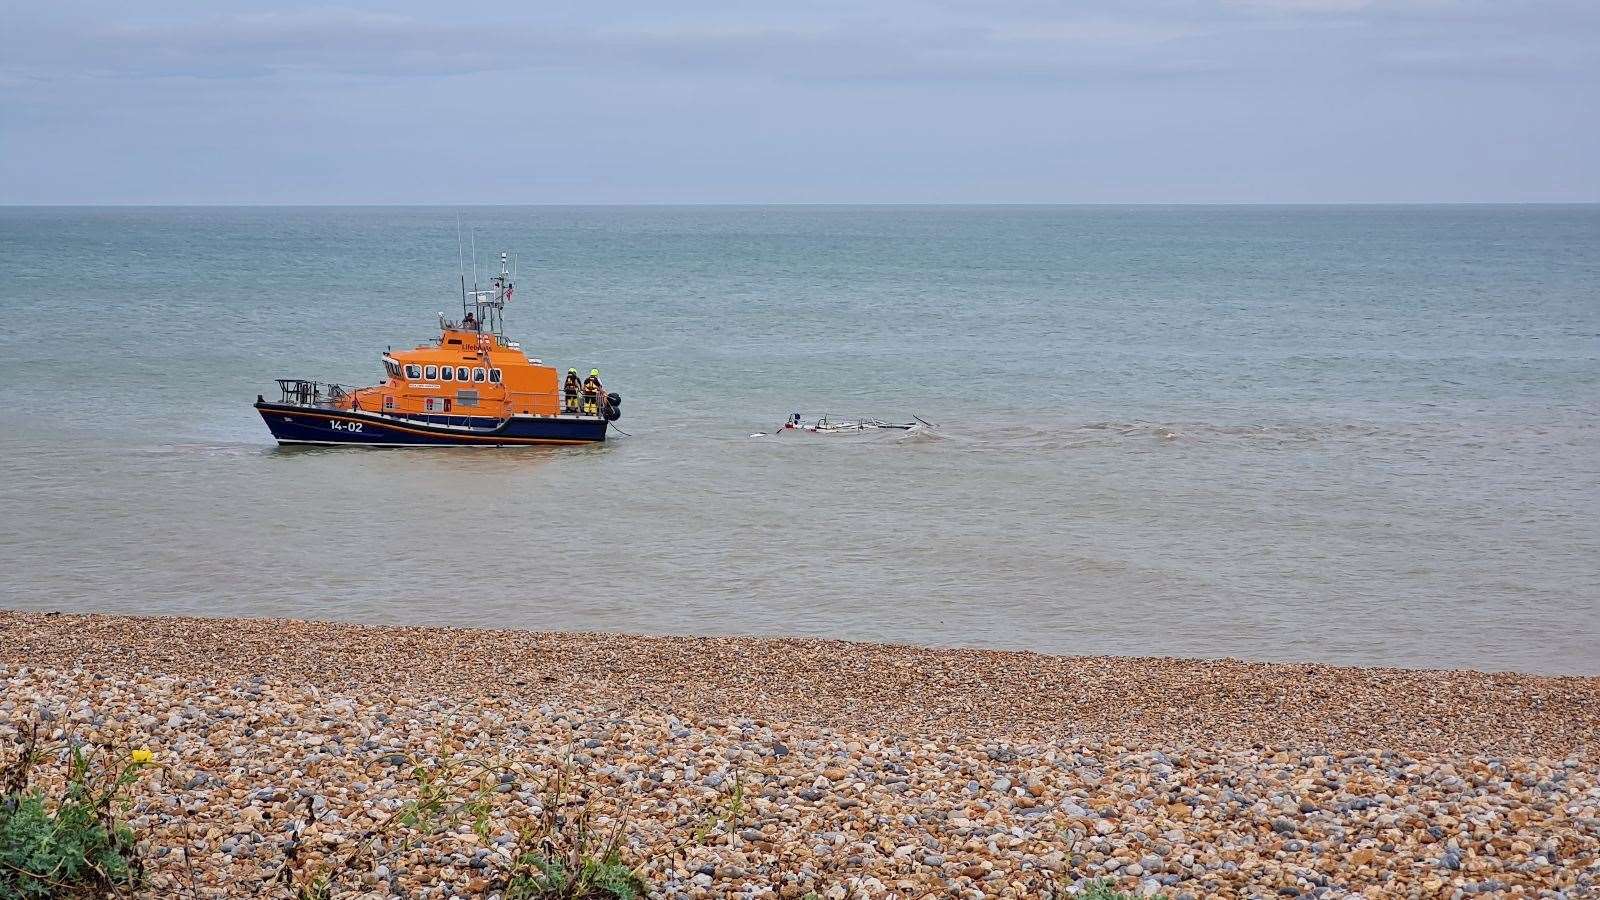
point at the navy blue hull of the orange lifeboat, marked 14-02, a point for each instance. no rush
(314, 425)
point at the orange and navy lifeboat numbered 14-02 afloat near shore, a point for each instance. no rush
(471, 388)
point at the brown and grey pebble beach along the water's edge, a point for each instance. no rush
(759, 768)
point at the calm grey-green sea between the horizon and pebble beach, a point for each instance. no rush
(1354, 435)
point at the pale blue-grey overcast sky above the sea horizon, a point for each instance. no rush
(698, 102)
